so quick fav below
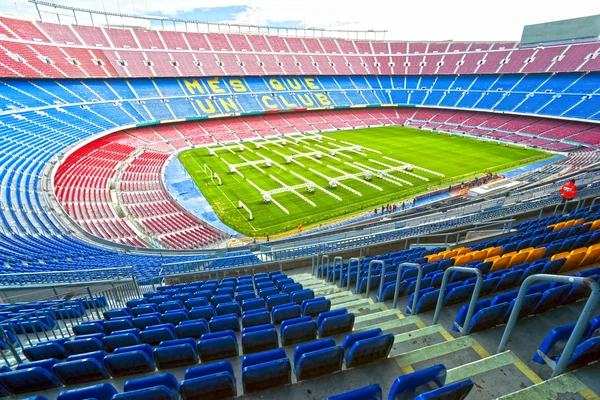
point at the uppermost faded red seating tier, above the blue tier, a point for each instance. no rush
(152, 53)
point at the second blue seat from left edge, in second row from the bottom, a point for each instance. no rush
(82, 368)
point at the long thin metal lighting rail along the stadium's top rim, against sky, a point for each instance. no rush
(308, 32)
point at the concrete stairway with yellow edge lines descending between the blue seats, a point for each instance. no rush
(418, 346)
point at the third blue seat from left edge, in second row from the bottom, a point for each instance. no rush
(130, 360)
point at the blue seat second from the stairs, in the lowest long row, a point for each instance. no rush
(317, 358)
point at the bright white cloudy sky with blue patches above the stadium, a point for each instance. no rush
(469, 20)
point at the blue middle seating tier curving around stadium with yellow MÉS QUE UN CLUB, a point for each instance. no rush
(30, 138)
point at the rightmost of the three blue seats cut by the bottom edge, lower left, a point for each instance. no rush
(212, 381)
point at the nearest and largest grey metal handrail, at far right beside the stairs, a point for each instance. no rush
(582, 322)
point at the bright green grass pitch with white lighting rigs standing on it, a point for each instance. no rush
(457, 158)
